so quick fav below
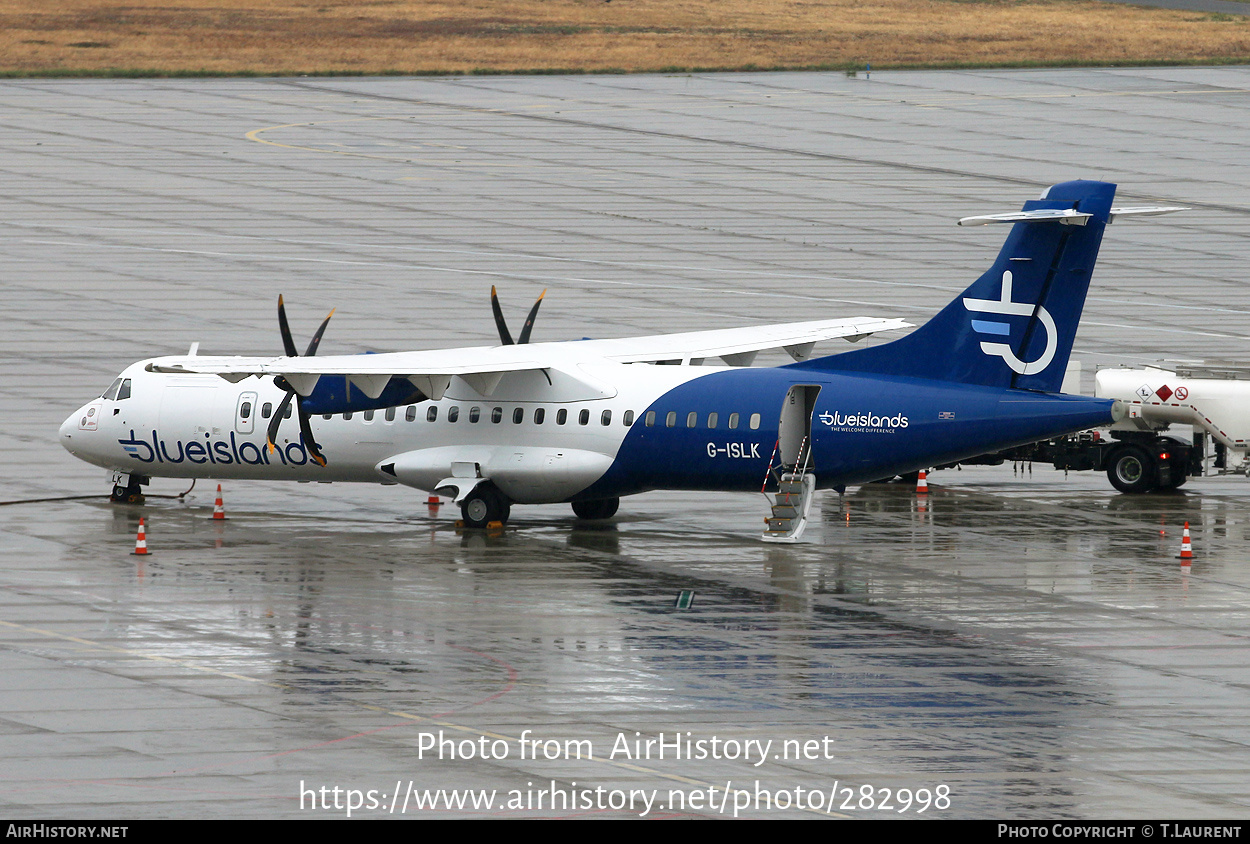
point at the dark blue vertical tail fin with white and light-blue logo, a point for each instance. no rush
(1014, 327)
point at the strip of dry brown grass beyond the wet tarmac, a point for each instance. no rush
(286, 37)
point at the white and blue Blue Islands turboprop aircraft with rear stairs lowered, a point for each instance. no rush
(589, 422)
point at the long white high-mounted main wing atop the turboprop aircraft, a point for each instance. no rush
(483, 367)
